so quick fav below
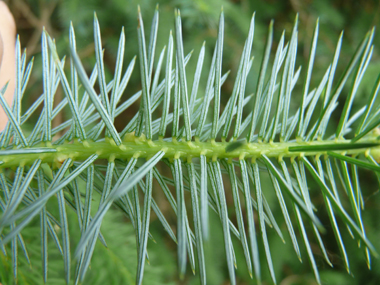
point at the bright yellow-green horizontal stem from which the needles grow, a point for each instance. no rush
(141, 147)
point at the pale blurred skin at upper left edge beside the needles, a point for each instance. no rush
(7, 57)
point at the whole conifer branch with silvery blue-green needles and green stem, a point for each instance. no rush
(208, 145)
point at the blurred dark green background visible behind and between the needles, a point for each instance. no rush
(117, 264)
